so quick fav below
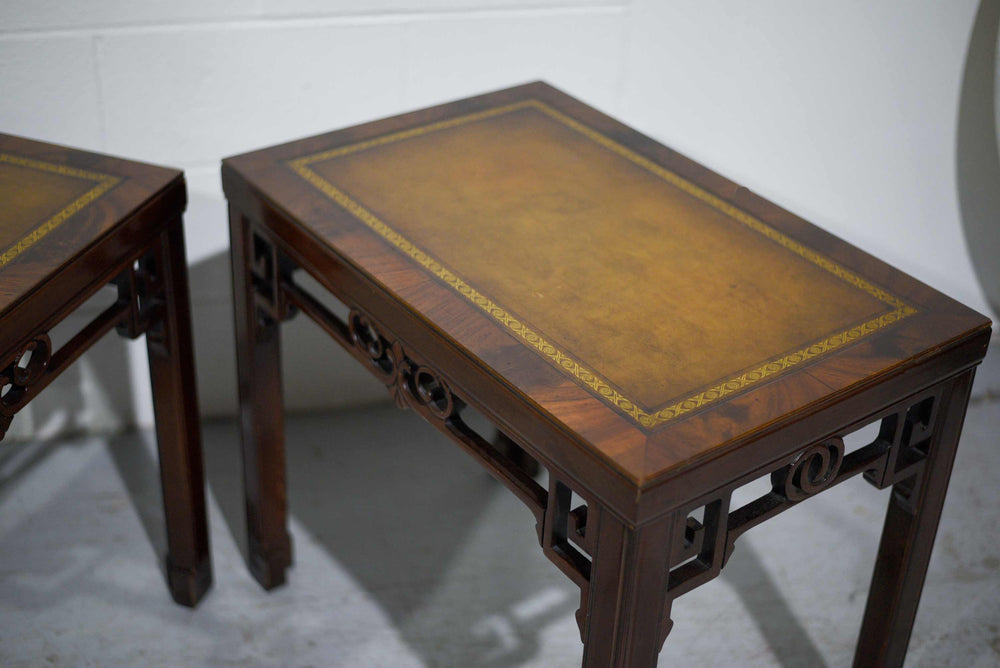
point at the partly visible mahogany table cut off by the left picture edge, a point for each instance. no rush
(70, 223)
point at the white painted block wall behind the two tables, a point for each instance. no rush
(844, 113)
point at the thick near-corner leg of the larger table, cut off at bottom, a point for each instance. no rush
(628, 608)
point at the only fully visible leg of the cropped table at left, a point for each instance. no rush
(171, 368)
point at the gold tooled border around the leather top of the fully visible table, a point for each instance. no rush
(587, 376)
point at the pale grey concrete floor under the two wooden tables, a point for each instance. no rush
(407, 554)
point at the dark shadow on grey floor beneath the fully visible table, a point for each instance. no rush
(418, 524)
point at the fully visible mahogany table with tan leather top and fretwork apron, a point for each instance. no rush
(650, 333)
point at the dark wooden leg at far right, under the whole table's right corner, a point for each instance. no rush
(908, 537)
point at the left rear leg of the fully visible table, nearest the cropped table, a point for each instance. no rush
(258, 354)
